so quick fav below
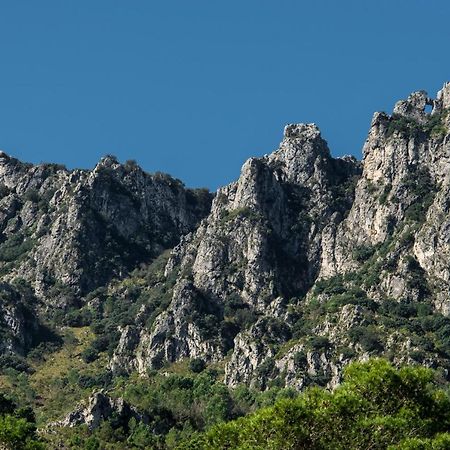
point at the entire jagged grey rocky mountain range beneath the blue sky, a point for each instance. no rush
(304, 264)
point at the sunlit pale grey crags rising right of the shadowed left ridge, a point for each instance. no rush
(255, 280)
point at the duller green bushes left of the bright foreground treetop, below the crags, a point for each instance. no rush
(178, 404)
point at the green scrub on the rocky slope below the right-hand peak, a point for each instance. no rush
(411, 318)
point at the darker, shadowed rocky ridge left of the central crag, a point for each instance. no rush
(65, 233)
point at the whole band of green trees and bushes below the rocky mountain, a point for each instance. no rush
(377, 406)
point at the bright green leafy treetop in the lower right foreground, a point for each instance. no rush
(377, 406)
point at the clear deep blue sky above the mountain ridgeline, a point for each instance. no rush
(194, 88)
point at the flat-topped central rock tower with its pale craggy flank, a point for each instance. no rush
(259, 247)
